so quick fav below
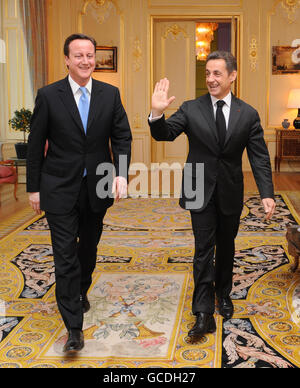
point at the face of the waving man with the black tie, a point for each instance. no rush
(218, 80)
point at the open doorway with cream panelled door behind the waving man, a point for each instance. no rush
(173, 49)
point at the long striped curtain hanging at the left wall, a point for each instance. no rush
(34, 17)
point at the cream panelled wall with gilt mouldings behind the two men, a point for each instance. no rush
(129, 24)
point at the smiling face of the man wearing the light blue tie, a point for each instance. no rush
(81, 60)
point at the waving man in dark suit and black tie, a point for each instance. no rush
(219, 127)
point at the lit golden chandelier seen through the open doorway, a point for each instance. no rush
(204, 37)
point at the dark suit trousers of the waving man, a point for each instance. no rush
(214, 234)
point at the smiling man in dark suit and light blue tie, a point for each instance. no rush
(77, 117)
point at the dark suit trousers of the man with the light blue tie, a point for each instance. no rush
(75, 237)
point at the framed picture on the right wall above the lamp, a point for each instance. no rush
(285, 60)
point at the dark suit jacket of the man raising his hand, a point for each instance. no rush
(222, 167)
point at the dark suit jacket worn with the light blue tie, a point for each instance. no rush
(58, 176)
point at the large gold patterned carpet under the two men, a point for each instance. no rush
(142, 289)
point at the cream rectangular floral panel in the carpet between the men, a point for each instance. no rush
(132, 316)
